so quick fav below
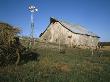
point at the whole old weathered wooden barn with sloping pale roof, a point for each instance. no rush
(61, 32)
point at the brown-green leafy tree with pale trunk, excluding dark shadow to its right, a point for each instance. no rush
(9, 47)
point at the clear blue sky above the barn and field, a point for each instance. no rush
(94, 15)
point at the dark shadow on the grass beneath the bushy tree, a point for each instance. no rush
(25, 56)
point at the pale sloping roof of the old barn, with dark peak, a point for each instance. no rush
(76, 28)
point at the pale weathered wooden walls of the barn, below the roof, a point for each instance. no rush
(56, 33)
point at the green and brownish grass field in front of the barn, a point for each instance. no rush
(72, 65)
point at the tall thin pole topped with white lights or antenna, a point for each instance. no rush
(32, 9)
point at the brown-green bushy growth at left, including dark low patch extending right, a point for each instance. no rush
(11, 49)
